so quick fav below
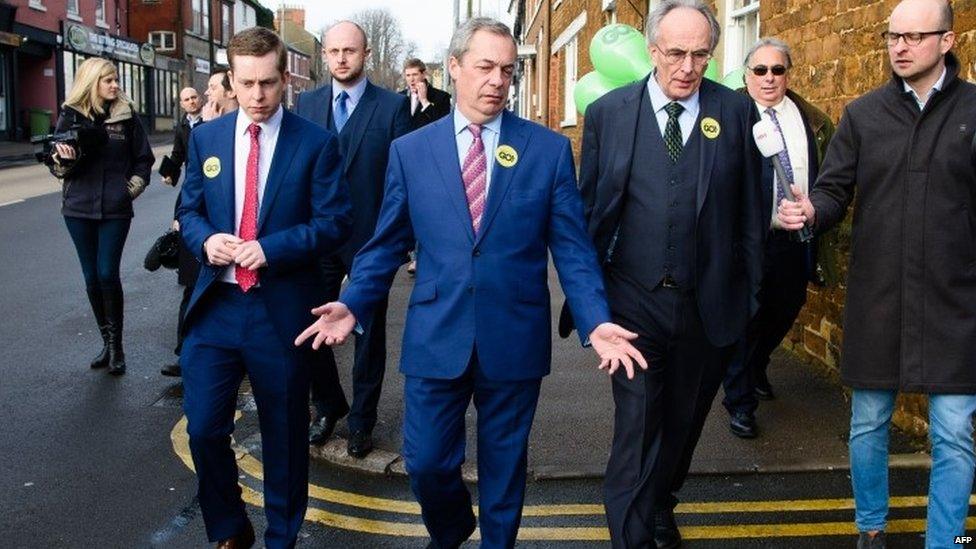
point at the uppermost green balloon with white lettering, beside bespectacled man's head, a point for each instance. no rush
(619, 53)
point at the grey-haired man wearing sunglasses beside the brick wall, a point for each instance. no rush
(787, 264)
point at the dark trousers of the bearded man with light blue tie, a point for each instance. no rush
(369, 362)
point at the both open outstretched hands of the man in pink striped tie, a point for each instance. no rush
(610, 341)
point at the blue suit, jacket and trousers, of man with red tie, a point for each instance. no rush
(304, 213)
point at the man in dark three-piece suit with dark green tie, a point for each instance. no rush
(670, 181)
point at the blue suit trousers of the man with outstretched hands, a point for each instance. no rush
(433, 450)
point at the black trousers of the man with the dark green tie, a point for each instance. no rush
(658, 415)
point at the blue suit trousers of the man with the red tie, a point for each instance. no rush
(232, 335)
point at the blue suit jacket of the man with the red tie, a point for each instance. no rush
(304, 213)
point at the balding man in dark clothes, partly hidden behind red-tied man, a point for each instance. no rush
(189, 268)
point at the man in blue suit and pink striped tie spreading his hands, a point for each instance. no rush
(488, 196)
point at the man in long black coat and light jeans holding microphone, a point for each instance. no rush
(905, 149)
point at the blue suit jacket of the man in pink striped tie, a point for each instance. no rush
(489, 290)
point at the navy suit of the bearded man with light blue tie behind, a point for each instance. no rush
(380, 117)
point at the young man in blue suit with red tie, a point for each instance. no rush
(262, 200)
